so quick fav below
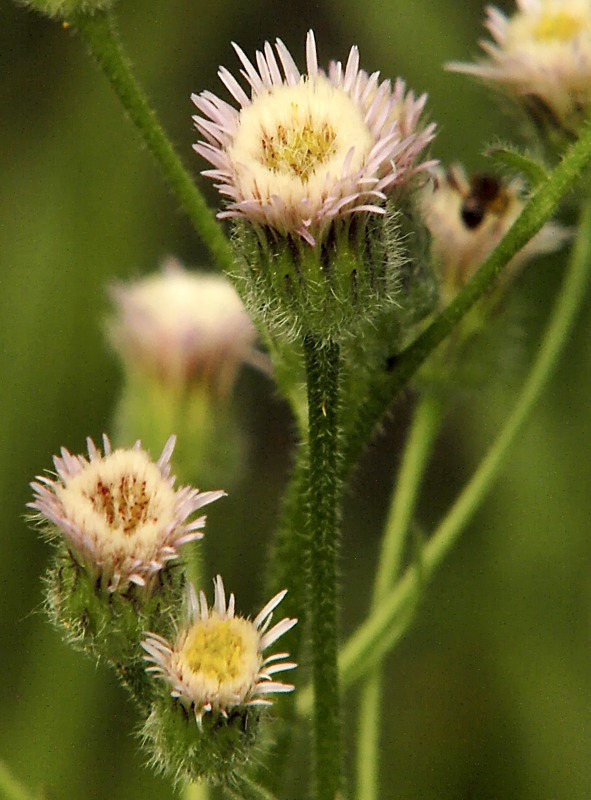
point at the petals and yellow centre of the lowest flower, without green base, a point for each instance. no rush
(217, 663)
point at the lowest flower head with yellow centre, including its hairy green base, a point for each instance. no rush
(218, 677)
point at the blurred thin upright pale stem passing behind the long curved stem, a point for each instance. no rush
(418, 448)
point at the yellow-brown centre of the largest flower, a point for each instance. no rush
(299, 149)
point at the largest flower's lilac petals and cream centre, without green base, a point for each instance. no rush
(305, 150)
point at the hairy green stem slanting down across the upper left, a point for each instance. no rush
(99, 32)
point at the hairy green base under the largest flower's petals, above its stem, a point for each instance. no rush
(334, 289)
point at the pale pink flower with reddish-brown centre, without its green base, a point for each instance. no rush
(119, 512)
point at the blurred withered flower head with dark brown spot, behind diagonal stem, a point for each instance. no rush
(467, 217)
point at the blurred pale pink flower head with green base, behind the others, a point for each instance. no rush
(182, 338)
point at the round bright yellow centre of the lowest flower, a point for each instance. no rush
(216, 649)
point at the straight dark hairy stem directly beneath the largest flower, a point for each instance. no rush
(322, 370)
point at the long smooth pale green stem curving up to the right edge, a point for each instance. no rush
(390, 621)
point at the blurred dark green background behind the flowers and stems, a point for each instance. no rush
(489, 694)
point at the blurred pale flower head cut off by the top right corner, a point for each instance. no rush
(542, 56)
